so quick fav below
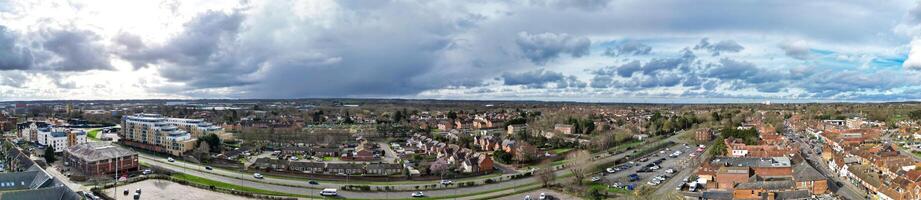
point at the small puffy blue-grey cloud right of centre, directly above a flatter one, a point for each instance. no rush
(544, 47)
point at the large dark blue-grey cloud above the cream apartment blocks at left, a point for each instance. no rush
(203, 55)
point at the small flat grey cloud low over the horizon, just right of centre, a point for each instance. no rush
(541, 79)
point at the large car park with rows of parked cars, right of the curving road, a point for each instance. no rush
(657, 164)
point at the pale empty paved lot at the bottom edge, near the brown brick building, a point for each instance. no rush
(167, 190)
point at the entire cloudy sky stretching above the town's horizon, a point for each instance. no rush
(670, 51)
